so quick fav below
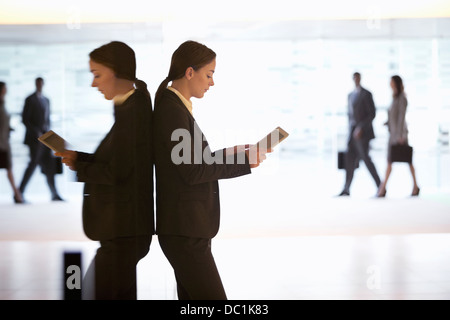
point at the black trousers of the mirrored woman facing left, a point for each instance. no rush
(112, 273)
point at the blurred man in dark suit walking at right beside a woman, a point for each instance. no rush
(361, 112)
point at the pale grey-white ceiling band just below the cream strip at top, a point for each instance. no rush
(232, 31)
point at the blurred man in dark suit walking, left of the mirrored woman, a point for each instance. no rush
(36, 118)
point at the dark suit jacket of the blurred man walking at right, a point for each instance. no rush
(361, 112)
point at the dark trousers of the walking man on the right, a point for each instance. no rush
(358, 149)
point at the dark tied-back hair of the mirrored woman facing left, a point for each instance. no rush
(119, 57)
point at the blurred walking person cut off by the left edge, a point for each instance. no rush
(5, 147)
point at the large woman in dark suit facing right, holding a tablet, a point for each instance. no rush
(187, 190)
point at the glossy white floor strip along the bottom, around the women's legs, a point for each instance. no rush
(288, 268)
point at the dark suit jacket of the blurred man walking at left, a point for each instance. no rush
(36, 117)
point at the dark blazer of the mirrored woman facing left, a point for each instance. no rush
(118, 192)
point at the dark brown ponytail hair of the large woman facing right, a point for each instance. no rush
(189, 54)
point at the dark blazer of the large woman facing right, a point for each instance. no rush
(187, 194)
